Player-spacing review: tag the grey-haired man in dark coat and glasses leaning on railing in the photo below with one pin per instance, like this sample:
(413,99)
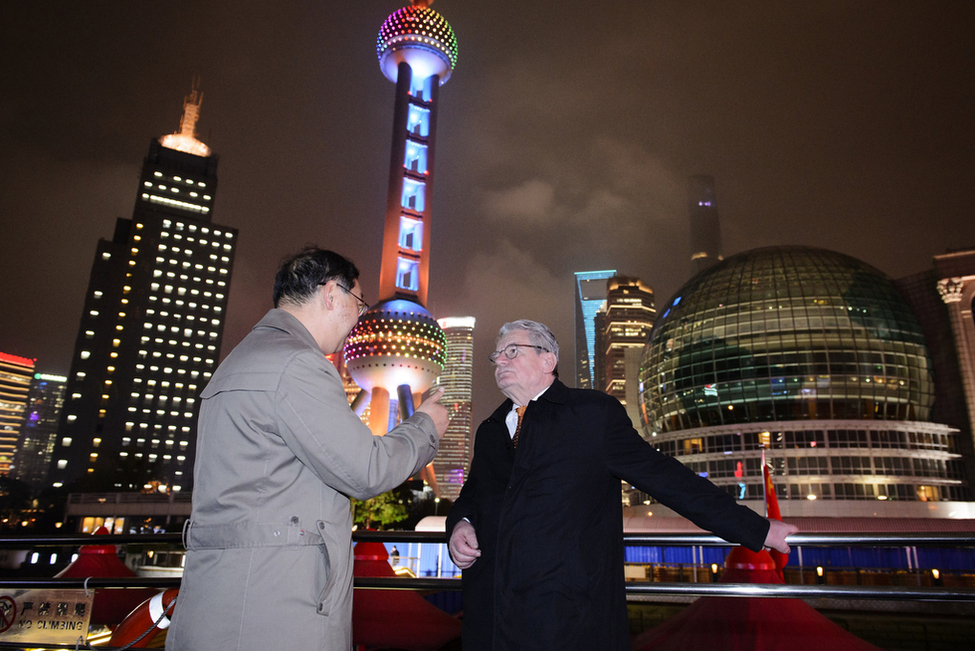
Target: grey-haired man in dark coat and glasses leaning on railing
(538,527)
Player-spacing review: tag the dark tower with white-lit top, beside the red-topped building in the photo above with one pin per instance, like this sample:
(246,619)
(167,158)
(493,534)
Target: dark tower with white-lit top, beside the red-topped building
(33,456)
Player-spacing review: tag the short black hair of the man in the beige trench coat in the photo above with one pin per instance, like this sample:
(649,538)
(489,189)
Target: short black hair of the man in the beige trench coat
(302,274)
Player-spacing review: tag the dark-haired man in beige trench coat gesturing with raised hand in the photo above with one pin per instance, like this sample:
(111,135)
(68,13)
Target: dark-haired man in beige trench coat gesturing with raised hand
(279,453)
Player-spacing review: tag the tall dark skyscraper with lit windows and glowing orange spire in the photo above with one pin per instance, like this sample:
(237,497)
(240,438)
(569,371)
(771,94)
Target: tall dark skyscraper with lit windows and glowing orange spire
(151,328)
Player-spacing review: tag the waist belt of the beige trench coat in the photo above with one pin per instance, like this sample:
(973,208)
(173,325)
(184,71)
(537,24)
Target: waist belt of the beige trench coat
(242,535)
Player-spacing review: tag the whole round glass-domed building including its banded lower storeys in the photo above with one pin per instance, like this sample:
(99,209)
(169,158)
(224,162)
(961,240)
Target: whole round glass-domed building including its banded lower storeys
(810,357)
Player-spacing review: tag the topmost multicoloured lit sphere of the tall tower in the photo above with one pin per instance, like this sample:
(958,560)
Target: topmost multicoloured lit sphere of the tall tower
(422,38)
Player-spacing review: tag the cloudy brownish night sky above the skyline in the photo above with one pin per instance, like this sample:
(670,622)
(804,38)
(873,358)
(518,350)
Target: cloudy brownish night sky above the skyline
(565,138)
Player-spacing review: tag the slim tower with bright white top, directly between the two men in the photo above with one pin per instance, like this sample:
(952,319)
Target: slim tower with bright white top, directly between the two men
(453,459)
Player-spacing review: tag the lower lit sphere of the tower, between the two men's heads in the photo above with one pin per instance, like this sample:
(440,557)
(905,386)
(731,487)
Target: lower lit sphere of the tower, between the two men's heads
(396,342)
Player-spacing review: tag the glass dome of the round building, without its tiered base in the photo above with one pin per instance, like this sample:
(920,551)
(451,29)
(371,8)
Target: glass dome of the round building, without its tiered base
(785,334)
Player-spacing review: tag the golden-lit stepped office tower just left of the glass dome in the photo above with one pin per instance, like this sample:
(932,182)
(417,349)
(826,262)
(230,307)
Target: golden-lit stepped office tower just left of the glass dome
(623,323)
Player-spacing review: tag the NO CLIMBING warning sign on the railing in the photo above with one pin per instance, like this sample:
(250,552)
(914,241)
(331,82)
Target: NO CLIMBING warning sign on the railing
(45,616)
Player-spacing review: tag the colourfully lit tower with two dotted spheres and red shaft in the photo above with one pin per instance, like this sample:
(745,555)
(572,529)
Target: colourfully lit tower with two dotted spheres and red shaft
(397,347)
